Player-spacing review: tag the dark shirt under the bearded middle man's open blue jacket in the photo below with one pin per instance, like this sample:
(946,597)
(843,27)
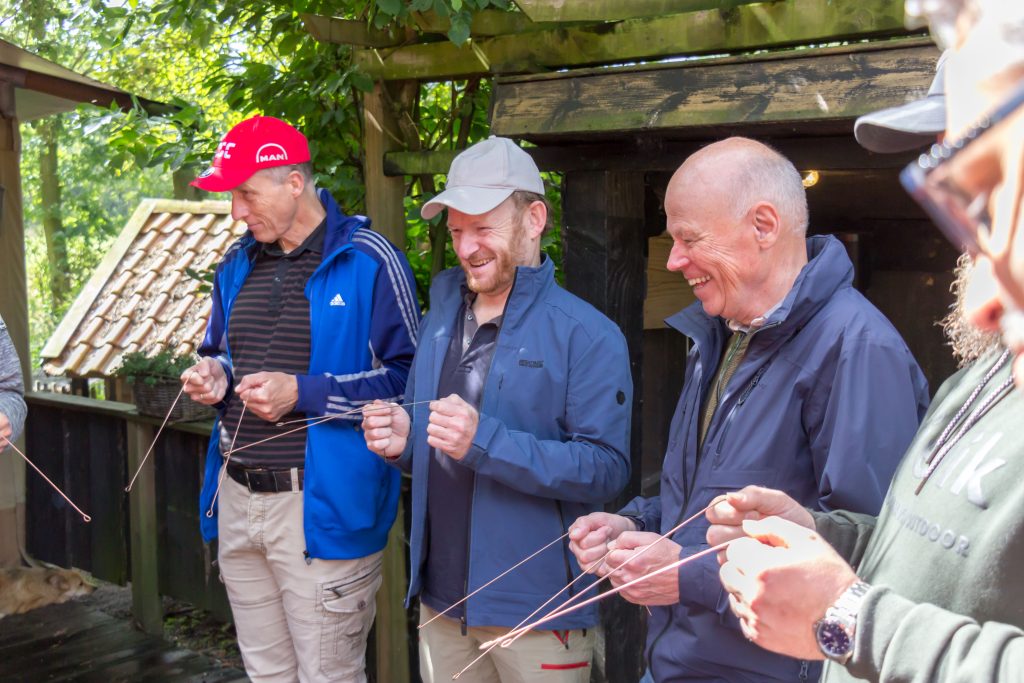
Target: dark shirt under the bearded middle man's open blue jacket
(450,502)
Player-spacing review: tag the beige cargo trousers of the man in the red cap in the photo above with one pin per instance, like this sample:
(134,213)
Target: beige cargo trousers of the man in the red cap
(295,622)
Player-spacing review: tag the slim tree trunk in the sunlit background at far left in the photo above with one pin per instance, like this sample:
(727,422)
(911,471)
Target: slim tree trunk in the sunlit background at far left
(50,181)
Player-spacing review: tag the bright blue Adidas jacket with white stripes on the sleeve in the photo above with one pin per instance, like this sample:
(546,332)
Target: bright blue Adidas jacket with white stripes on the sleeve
(364,319)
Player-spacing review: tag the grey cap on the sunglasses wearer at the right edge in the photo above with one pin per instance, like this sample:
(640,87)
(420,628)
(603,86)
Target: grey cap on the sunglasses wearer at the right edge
(910,126)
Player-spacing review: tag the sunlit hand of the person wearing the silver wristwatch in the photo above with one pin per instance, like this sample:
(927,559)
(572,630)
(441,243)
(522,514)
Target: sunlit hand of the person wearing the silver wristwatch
(782,581)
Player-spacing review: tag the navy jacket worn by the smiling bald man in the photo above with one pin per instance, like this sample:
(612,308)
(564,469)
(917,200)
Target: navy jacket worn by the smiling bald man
(823,407)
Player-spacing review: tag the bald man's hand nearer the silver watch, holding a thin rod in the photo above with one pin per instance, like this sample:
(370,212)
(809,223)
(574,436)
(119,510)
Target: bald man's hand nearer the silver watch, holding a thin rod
(660,590)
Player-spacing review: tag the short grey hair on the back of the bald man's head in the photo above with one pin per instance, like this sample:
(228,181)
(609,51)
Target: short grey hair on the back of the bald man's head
(772,178)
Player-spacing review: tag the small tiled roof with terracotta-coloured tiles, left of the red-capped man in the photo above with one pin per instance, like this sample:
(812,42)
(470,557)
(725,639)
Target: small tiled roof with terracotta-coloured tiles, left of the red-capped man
(141,296)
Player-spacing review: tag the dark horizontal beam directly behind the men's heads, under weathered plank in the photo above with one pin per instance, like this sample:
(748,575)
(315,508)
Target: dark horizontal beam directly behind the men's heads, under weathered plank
(821,154)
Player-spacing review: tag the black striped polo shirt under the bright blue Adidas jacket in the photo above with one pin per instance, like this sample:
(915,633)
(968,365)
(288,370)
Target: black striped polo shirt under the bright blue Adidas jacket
(269,331)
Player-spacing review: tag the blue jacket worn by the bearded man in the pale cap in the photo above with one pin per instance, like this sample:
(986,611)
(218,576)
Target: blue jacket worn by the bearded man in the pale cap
(552,442)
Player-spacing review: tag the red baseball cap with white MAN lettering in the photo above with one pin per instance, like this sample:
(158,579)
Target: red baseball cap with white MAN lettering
(260,143)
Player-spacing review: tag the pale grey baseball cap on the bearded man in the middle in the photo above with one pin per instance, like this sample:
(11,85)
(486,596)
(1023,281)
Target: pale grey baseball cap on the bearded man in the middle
(484,177)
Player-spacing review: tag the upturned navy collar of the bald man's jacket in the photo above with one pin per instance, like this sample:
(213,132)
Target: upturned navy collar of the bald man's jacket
(829,270)
